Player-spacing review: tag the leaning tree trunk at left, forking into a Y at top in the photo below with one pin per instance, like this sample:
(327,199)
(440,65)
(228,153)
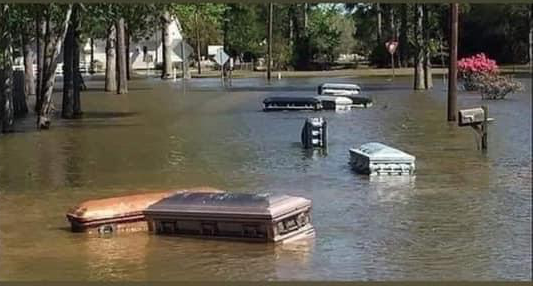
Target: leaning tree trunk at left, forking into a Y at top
(52,50)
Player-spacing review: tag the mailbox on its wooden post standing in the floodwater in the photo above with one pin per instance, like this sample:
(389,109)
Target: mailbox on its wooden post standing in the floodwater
(478,119)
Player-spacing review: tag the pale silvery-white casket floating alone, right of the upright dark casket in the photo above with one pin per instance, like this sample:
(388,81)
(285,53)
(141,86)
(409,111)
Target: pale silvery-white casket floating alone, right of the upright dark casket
(379,159)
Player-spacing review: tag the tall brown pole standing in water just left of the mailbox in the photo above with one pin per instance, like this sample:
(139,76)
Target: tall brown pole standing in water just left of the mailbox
(452,66)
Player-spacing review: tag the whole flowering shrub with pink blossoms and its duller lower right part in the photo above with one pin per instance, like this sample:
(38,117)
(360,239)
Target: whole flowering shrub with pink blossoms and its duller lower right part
(482,74)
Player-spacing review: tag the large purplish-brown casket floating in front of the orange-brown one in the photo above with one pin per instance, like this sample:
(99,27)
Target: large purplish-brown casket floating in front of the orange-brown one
(248,217)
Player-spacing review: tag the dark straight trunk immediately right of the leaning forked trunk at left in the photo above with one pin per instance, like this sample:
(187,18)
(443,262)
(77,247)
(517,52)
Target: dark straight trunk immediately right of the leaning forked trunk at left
(67,109)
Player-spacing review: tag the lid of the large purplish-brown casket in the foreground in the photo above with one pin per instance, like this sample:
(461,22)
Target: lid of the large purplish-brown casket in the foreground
(265,205)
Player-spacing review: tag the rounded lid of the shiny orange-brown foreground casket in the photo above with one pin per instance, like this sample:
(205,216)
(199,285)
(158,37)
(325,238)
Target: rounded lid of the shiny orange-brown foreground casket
(123,206)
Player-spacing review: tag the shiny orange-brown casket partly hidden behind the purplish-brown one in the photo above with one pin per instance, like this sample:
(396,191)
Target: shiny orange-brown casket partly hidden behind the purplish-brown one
(119,214)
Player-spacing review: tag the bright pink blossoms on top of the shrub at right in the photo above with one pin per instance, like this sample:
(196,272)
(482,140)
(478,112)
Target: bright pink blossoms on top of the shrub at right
(471,68)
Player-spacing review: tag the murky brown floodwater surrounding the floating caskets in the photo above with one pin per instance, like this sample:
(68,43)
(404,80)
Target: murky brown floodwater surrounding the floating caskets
(465,216)
